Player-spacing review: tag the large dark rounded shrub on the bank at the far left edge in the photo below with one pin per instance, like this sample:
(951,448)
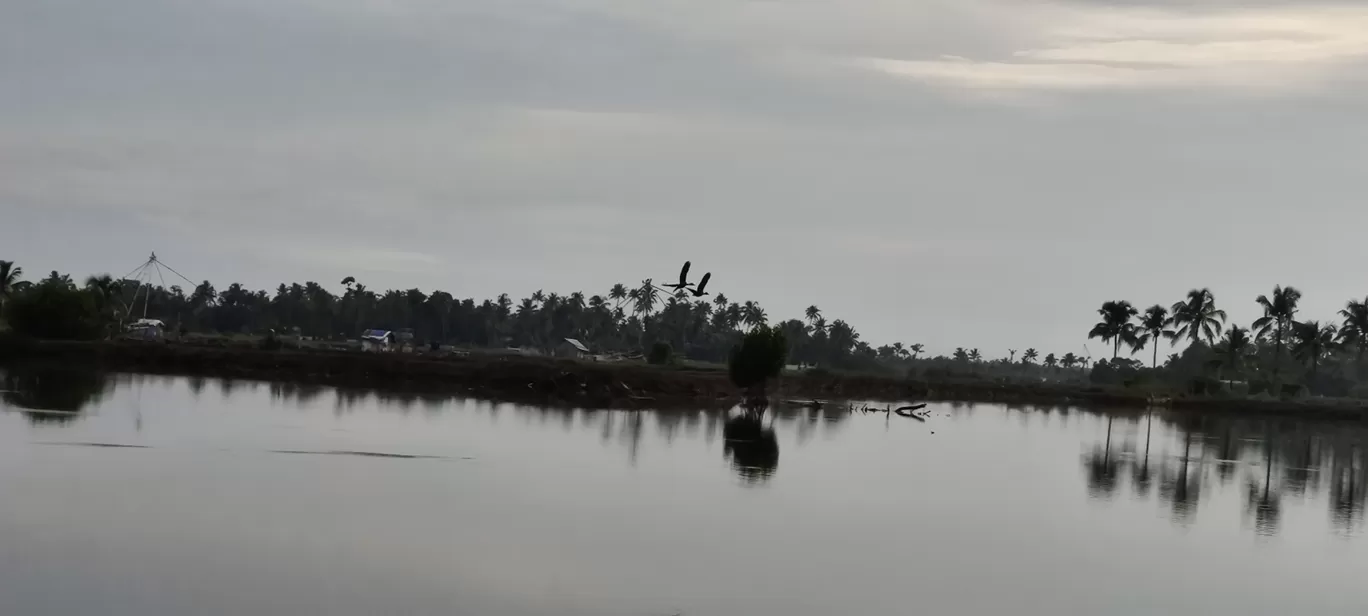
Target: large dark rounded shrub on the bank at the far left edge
(54,313)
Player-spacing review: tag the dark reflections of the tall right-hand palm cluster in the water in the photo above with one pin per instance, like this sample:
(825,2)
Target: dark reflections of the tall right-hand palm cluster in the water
(1280,461)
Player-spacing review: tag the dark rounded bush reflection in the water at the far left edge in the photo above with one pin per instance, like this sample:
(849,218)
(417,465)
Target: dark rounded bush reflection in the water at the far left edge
(54,395)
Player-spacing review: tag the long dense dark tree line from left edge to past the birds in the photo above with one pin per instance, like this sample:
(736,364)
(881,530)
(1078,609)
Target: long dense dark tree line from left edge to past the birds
(624,320)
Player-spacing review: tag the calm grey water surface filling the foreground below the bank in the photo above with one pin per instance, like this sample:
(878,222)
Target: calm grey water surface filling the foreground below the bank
(255,499)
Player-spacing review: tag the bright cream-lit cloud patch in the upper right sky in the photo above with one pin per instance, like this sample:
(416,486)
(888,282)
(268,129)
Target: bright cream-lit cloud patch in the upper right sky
(1276,50)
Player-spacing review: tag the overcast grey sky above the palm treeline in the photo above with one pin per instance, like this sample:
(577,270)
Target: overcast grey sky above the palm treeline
(956,173)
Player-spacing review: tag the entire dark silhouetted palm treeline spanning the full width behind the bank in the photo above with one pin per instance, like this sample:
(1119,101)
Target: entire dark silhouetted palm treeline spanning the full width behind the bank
(1277,355)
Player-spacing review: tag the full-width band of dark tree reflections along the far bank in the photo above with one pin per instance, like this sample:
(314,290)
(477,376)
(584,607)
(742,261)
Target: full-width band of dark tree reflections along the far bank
(1179,463)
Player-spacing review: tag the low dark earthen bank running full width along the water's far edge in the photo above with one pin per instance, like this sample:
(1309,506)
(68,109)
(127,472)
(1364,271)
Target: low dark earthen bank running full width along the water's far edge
(596,385)
